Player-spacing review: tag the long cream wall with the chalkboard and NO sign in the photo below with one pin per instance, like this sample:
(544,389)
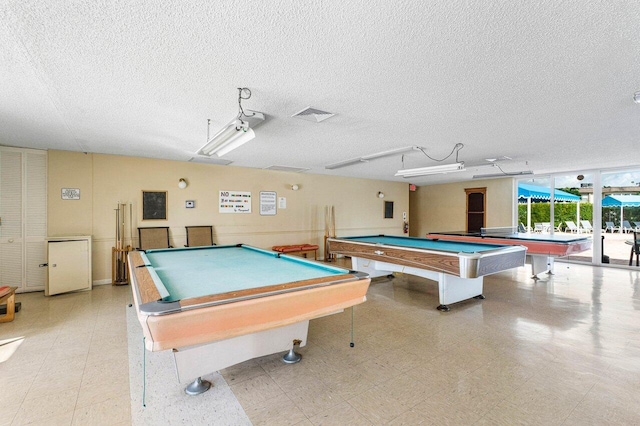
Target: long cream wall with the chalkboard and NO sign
(106,180)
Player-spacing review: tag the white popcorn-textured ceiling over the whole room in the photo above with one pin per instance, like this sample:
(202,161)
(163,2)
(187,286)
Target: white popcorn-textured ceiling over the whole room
(547,83)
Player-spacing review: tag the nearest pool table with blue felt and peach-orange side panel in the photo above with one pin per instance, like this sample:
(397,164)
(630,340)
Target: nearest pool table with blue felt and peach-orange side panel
(216,306)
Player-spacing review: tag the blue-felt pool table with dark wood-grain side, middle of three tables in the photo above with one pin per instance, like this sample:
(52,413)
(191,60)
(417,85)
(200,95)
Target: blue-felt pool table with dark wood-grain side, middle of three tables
(458,267)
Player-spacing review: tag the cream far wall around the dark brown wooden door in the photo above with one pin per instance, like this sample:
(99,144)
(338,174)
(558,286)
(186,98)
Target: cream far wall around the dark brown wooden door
(443,207)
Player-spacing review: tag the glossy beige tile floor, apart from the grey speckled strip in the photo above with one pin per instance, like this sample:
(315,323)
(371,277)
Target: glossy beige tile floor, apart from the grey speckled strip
(562,350)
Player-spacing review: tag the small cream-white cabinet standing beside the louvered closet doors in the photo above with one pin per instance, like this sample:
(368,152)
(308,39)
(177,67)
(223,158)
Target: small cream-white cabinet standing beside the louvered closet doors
(69,264)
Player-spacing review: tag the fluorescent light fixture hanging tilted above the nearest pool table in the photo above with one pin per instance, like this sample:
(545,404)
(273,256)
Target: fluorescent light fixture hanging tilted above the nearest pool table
(236,133)
